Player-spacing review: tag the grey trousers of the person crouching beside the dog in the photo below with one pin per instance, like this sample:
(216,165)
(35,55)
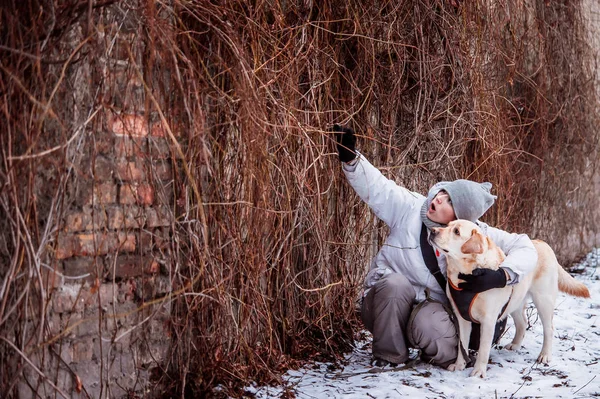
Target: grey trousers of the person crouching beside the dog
(386,312)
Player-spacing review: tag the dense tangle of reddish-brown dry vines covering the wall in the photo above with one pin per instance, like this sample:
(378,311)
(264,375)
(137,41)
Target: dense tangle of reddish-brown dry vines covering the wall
(269,245)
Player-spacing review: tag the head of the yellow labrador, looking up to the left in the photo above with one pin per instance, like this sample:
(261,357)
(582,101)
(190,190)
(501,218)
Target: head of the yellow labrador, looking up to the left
(461,239)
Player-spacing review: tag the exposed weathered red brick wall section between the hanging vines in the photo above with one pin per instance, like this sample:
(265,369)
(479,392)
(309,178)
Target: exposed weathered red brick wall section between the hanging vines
(111,258)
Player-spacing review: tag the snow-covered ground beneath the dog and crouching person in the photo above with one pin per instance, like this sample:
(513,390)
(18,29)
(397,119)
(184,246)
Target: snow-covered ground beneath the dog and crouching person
(573,372)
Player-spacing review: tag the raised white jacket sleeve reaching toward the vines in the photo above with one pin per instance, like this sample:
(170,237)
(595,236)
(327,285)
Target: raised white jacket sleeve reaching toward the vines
(388,201)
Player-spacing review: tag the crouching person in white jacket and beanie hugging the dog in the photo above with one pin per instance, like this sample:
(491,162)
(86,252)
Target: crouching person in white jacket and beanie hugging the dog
(394,306)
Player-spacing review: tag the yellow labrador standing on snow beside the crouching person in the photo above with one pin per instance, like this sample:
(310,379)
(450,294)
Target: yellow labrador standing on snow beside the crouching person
(466,249)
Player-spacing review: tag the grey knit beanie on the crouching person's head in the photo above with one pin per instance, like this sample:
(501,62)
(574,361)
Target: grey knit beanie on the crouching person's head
(469,199)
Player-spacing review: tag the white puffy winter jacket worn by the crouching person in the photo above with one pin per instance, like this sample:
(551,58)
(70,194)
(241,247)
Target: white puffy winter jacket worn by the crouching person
(400,209)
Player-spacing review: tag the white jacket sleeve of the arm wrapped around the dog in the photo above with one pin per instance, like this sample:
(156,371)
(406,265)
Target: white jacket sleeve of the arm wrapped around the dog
(521,255)
